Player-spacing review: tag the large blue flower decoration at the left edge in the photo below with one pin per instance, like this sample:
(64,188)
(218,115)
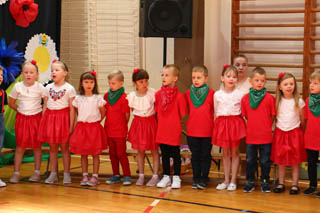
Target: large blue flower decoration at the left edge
(10,60)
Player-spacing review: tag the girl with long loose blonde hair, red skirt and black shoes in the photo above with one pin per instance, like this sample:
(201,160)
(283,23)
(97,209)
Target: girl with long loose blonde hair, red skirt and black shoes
(288,146)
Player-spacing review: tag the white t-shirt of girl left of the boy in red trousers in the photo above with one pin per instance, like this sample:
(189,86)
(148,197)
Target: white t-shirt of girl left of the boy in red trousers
(88,107)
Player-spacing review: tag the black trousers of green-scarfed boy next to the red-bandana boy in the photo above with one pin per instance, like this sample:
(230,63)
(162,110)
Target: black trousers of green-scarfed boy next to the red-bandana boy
(201,158)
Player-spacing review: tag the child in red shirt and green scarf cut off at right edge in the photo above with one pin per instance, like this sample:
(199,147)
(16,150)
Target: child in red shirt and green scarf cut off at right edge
(311,135)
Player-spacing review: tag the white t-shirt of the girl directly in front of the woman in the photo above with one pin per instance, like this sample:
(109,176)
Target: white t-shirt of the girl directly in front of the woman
(227,103)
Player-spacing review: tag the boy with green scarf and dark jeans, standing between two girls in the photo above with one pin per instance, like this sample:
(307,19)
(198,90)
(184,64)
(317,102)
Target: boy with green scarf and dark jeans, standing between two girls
(258,107)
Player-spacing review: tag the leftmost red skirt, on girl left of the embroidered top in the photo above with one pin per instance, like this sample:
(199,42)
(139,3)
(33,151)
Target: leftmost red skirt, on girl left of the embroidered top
(27,129)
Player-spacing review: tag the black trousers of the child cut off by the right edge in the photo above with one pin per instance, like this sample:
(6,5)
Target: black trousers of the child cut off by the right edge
(312,167)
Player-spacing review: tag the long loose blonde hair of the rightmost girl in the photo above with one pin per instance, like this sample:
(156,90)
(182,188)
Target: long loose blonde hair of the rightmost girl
(295,94)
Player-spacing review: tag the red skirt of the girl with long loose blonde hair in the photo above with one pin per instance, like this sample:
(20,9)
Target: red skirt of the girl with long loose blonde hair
(288,147)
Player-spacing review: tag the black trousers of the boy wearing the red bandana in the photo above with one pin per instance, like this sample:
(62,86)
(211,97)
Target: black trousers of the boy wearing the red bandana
(168,151)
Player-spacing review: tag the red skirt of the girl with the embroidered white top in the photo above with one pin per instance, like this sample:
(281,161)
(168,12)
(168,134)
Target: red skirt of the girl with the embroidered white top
(54,126)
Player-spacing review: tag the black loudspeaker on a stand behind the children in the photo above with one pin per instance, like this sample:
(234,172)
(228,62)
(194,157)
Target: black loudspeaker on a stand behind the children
(165,18)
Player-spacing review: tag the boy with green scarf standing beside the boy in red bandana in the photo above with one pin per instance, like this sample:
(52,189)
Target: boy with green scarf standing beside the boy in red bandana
(200,126)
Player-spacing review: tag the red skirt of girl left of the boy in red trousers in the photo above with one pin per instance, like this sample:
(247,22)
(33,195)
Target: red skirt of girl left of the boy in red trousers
(88,139)
